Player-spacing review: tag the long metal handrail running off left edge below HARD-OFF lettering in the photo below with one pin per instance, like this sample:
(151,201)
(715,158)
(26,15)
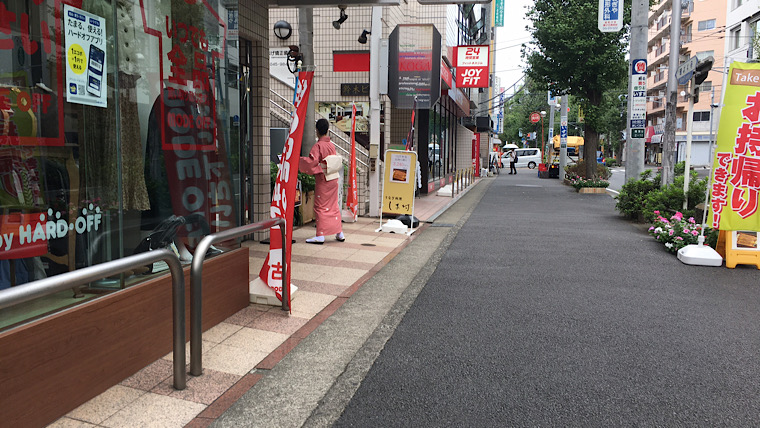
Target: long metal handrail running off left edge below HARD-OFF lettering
(43,287)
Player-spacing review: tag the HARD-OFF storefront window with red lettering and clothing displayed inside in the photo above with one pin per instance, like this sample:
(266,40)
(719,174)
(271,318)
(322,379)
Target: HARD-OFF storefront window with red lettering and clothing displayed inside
(116,136)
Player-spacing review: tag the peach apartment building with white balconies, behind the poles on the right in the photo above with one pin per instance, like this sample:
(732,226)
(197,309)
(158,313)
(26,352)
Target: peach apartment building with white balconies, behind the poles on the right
(703,29)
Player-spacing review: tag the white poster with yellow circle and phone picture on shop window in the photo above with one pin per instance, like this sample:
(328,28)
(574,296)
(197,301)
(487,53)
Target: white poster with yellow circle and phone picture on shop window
(85,36)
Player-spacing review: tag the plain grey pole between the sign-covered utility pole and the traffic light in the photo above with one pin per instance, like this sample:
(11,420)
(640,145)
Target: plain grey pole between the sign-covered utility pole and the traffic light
(669,136)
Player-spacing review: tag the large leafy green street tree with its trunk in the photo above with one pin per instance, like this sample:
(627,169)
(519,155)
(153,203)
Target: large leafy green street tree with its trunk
(571,56)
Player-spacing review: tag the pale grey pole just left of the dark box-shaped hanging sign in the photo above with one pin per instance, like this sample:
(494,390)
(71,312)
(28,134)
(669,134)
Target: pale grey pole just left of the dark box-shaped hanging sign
(374,106)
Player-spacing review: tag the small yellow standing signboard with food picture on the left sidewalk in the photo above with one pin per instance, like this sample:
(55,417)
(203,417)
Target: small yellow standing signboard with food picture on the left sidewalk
(399,182)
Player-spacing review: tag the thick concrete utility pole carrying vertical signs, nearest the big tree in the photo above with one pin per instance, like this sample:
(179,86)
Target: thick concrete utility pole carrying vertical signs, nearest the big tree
(634,158)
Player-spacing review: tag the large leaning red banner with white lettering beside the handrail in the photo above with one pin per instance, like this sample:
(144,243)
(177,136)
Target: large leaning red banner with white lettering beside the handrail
(284,193)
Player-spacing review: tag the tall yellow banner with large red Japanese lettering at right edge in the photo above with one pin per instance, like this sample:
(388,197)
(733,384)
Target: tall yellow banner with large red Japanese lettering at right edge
(736,166)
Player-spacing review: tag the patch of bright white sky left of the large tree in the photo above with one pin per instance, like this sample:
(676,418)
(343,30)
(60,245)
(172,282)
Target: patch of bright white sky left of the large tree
(509,38)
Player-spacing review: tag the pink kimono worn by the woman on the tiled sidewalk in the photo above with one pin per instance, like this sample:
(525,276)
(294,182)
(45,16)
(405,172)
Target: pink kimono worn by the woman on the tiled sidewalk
(326,204)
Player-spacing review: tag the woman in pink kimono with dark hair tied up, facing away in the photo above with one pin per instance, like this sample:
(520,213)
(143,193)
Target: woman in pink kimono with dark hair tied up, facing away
(323,163)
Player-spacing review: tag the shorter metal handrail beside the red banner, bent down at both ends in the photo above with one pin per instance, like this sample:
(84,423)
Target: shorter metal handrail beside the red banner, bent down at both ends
(196,282)
